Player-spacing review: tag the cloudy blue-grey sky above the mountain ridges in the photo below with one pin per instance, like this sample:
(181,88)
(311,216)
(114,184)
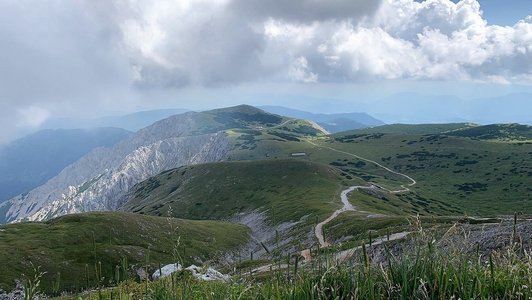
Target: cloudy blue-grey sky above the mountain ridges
(89,58)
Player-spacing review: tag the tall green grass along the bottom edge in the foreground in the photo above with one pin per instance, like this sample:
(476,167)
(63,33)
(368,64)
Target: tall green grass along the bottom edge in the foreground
(424,272)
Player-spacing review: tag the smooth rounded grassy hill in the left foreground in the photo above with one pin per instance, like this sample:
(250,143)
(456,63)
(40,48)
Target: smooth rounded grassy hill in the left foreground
(73,246)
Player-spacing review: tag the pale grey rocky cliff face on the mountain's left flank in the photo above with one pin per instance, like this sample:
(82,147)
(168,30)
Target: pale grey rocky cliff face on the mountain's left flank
(99,180)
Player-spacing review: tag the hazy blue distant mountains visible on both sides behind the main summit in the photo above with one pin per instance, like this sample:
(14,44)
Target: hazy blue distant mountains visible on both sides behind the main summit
(31,161)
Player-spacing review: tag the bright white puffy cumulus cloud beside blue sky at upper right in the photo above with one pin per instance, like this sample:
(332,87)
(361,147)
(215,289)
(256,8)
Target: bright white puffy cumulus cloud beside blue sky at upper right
(434,39)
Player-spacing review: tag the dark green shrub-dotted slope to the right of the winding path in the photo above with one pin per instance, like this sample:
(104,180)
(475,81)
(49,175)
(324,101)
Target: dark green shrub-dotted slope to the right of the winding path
(454,174)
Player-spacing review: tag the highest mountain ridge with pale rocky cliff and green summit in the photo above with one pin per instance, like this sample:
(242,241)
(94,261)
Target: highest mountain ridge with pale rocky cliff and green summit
(192,137)
